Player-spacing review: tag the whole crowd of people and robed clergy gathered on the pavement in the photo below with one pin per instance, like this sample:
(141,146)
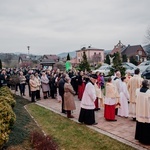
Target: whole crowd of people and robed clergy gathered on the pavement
(125,96)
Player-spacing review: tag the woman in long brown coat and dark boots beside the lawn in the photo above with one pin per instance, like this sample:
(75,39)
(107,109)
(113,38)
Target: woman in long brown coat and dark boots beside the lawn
(69,93)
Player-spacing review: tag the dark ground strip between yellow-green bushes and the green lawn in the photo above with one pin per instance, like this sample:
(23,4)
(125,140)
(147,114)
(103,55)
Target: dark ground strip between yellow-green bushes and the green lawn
(19,138)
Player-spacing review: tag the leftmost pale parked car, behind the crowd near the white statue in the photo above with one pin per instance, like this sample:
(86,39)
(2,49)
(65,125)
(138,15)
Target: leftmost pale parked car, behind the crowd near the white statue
(104,69)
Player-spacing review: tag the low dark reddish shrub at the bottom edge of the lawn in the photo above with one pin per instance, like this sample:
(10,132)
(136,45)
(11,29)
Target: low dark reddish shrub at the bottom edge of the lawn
(41,142)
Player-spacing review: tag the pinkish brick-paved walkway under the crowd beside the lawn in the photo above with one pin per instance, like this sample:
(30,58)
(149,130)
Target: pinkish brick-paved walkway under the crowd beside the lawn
(122,130)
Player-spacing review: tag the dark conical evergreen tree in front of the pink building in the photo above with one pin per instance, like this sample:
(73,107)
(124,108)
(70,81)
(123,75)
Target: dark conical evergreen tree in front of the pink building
(84,65)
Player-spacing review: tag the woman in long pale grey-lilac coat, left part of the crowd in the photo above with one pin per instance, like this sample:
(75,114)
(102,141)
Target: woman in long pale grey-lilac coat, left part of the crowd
(45,85)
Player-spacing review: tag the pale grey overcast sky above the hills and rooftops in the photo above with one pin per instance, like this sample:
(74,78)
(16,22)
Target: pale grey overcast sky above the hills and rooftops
(56,26)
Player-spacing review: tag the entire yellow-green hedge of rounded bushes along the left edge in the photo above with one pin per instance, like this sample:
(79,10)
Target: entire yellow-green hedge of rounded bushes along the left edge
(7,116)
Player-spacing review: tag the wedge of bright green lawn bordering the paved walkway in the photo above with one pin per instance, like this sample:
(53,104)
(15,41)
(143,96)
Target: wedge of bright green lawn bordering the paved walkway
(70,135)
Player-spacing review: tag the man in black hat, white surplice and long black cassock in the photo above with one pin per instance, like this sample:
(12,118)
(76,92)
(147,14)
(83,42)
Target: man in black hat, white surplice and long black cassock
(87,115)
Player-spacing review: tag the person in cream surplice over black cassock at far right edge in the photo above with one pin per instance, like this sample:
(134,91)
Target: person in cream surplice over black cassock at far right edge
(142,132)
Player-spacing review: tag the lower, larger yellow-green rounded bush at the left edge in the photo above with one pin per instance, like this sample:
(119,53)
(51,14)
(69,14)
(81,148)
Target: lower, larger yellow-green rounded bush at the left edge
(7,119)
